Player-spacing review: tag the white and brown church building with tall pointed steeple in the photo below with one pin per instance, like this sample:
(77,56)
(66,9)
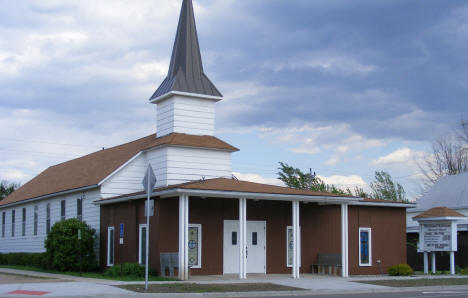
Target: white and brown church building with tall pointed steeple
(212,223)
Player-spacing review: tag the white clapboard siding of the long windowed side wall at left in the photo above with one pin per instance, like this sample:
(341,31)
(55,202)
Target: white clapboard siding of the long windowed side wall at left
(32,243)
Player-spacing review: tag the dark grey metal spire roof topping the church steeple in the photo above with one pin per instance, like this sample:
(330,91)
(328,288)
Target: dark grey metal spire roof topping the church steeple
(186,68)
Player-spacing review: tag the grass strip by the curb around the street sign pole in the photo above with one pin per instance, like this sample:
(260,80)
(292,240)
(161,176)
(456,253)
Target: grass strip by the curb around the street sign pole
(208,288)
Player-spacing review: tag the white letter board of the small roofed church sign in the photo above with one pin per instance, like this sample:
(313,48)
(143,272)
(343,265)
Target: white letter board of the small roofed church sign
(437,237)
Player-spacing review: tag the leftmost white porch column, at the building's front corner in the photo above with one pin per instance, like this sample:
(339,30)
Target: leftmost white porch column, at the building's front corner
(183,237)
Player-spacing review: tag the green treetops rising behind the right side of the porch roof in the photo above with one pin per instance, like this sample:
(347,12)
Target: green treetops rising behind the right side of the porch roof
(295,178)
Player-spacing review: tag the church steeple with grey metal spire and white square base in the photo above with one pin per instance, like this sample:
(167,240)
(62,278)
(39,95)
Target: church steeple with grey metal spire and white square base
(185,99)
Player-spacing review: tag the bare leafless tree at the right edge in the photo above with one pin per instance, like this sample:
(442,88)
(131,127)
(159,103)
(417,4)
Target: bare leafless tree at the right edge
(449,156)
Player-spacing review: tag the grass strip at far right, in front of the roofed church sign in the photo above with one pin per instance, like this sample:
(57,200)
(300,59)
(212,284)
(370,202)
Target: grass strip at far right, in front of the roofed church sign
(423,282)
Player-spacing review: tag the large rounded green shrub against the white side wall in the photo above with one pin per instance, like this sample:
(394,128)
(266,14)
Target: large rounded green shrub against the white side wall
(63,247)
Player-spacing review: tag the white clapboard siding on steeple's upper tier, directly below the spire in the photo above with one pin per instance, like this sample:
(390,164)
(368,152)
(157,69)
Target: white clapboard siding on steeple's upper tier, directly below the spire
(186,115)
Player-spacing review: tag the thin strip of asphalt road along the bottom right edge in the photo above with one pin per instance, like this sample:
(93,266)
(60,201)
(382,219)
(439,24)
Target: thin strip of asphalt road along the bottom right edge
(418,294)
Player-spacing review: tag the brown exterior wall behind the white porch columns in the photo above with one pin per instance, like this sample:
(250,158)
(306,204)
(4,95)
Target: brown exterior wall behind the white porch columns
(320,232)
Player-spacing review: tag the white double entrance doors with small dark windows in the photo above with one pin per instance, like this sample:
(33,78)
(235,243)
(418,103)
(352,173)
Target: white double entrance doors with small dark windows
(256,247)
